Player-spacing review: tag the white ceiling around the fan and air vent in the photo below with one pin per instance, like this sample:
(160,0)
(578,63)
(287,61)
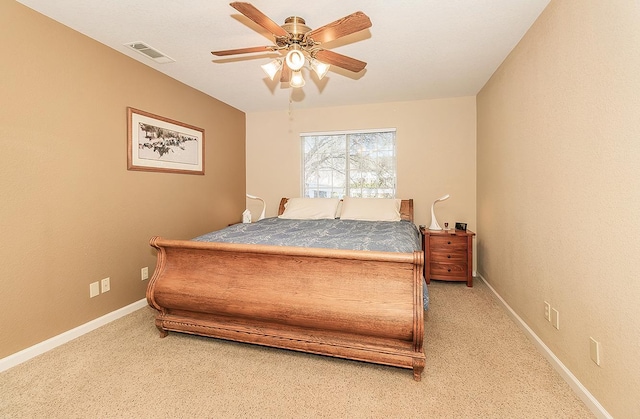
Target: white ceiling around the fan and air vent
(416,49)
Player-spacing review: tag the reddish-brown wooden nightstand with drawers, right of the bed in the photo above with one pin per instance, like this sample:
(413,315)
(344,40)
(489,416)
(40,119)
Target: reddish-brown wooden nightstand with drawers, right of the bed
(448,255)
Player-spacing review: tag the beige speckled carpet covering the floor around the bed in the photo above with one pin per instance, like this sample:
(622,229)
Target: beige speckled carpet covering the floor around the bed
(479,365)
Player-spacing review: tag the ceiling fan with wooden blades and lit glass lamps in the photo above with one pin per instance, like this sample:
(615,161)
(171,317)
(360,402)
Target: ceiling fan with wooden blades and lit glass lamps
(303,45)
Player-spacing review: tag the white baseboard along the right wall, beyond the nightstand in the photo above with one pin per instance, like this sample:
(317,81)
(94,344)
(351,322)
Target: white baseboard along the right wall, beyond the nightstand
(580,390)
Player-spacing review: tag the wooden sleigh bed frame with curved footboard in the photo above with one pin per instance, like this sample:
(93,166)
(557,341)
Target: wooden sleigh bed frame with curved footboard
(354,304)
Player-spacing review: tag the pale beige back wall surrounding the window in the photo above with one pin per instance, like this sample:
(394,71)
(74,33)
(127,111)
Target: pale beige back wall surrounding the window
(435,152)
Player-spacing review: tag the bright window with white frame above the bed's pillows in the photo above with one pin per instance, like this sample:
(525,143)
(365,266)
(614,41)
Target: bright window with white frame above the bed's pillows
(358,164)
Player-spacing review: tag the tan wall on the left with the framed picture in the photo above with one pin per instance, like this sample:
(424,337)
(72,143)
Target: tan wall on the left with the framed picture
(70,212)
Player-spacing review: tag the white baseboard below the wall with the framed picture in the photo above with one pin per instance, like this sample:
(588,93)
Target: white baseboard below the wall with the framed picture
(42,347)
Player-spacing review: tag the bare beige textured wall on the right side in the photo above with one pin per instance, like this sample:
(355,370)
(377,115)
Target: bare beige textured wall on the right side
(559,189)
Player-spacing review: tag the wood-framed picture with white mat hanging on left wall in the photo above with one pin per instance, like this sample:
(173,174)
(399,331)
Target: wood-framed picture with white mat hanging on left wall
(160,144)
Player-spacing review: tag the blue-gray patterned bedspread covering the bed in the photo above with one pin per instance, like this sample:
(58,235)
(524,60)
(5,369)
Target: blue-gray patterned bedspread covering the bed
(386,236)
